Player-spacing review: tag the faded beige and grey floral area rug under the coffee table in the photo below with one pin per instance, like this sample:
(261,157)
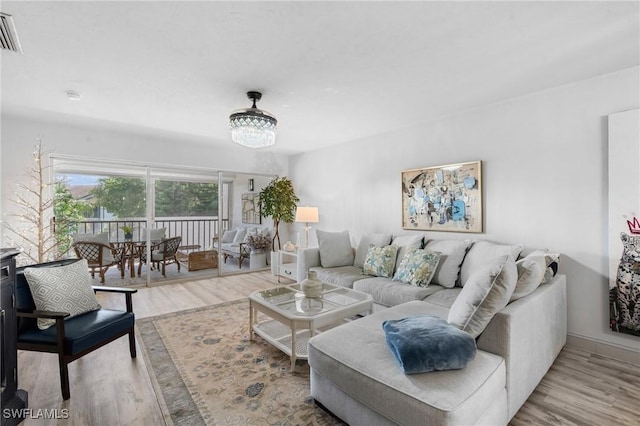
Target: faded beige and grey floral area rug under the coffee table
(206,371)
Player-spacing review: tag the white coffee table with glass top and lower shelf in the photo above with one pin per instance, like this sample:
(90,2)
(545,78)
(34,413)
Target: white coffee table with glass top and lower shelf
(294,318)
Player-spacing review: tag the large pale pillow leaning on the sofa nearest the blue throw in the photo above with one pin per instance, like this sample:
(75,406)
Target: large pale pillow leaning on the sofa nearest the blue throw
(486,292)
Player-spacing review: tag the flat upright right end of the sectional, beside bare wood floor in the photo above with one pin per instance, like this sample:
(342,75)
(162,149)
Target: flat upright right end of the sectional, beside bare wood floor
(529,334)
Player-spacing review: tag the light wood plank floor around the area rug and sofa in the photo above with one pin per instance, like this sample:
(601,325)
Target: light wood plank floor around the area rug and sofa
(109,388)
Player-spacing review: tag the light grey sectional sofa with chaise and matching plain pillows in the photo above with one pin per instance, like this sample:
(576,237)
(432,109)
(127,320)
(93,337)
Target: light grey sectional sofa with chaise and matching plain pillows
(355,375)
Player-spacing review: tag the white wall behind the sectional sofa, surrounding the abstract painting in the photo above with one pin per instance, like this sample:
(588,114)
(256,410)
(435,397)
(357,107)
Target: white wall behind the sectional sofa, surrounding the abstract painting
(544,176)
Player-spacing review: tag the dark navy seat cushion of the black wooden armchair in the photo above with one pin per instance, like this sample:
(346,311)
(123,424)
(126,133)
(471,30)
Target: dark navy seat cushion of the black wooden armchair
(83,331)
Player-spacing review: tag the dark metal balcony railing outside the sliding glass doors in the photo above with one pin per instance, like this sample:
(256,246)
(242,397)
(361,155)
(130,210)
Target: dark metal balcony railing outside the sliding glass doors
(194,231)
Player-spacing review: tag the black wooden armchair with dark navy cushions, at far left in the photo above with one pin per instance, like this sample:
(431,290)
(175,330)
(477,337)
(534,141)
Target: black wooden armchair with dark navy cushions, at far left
(72,336)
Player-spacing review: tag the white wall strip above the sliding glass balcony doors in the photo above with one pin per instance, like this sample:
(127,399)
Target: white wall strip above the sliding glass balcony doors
(19,136)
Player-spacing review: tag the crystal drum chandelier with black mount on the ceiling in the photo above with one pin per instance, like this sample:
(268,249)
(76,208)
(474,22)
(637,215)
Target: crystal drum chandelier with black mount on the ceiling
(253,127)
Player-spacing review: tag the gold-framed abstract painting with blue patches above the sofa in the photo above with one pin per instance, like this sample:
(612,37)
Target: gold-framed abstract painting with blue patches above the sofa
(443,198)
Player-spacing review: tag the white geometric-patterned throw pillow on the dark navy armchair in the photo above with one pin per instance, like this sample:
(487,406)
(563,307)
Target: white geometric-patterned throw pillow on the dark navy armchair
(65,288)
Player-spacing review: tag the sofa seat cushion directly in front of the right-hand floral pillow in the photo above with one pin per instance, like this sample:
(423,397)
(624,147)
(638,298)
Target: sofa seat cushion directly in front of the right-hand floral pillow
(390,293)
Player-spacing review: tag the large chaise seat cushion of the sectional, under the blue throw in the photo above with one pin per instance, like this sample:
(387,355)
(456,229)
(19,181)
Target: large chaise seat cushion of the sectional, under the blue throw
(457,397)
